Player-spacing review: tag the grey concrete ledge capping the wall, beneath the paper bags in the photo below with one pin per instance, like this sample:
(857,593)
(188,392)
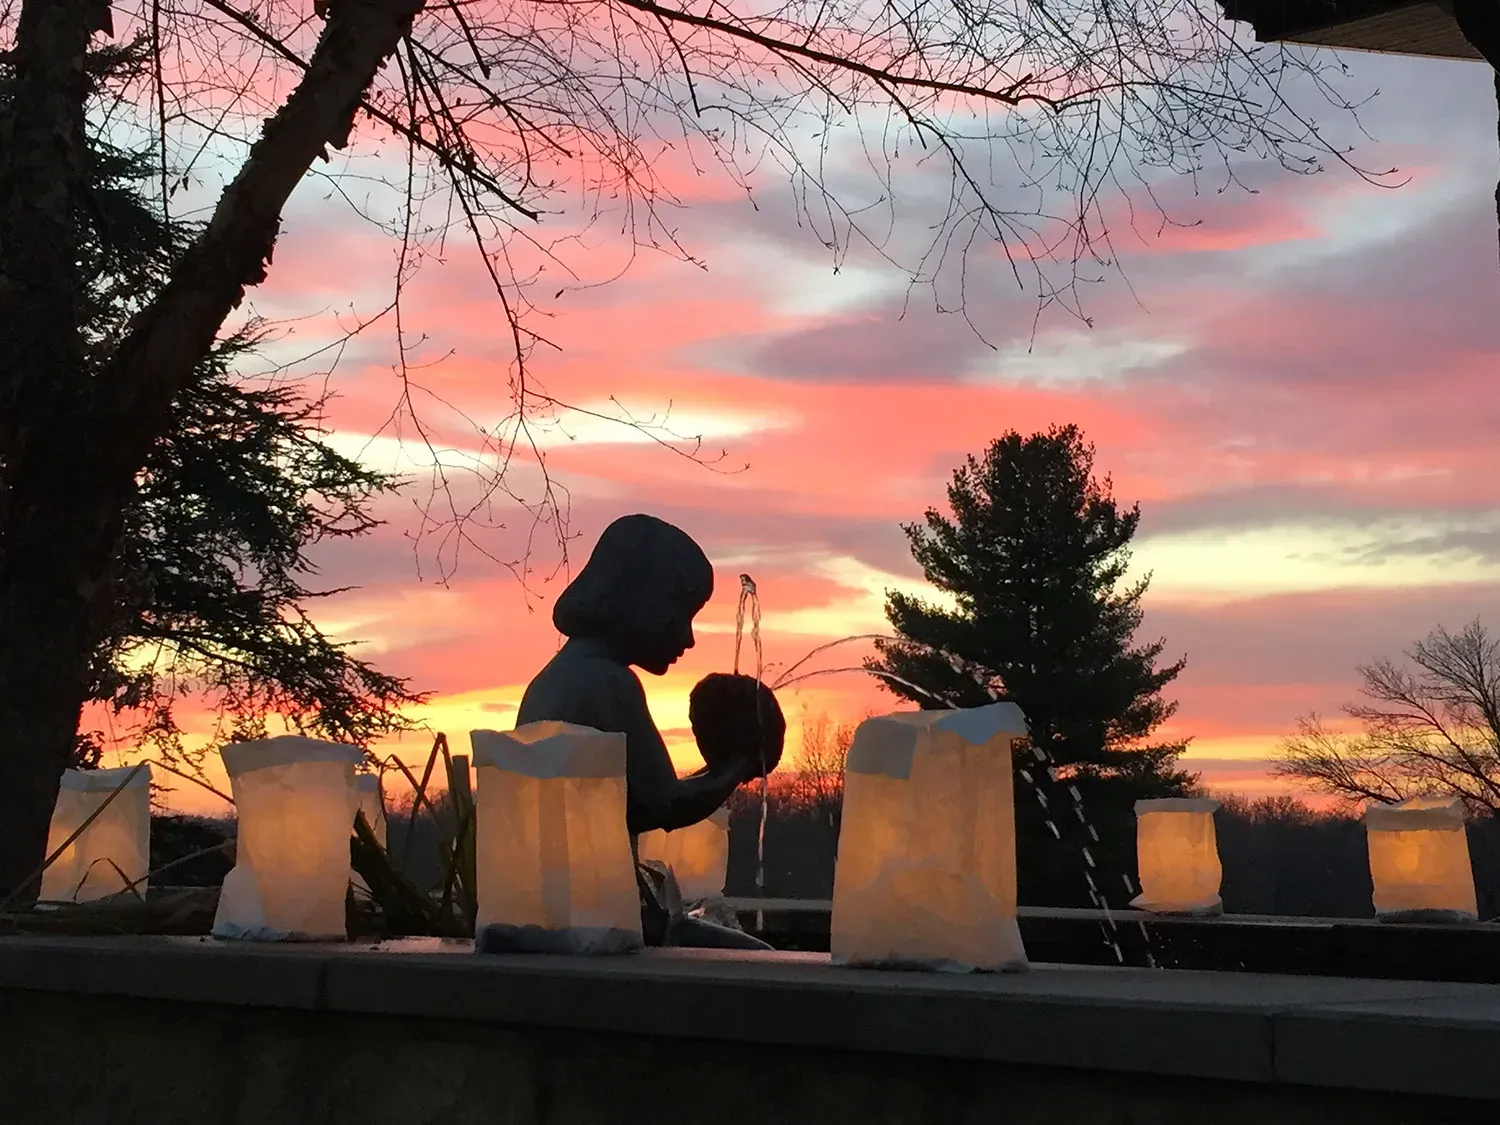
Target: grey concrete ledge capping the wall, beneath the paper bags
(1282,1031)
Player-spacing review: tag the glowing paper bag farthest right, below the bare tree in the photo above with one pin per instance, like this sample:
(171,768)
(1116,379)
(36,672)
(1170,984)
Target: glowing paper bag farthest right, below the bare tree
(1420,862)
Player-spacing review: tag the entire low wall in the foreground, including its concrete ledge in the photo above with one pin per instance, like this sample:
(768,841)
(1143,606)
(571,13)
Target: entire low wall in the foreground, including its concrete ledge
(163,1031)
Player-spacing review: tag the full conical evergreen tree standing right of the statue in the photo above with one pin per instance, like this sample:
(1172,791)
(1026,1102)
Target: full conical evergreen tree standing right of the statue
(1034,560)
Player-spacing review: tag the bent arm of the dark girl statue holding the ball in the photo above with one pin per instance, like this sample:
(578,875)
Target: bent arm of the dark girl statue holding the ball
(658,797)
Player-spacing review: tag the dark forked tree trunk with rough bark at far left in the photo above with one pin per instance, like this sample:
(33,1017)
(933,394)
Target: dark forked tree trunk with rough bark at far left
(71,443)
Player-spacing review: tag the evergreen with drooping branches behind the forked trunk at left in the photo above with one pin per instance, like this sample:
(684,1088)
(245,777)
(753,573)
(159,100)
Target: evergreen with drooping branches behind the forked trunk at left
(211,583)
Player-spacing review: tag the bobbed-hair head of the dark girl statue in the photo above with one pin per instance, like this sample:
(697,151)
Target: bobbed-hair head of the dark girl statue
(640,593)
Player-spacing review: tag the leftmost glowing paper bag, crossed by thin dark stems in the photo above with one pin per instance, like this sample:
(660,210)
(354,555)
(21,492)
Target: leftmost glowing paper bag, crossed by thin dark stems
(115,851)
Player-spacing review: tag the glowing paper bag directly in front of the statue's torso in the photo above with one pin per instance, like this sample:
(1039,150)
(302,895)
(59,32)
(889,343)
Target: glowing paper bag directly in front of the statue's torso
(553,853)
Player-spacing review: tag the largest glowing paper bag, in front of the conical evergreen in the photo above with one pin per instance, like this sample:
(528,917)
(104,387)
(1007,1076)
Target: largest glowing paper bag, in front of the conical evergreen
(926,871)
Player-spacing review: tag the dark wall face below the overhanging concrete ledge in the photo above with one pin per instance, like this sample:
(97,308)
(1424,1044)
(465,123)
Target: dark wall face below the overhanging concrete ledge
(104,1060)
